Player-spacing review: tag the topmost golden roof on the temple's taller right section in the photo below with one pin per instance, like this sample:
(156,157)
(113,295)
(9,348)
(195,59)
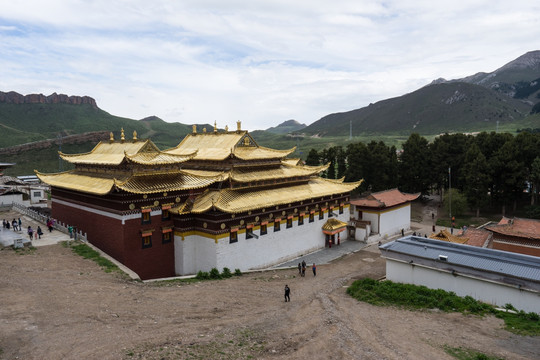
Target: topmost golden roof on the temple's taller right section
(221,145)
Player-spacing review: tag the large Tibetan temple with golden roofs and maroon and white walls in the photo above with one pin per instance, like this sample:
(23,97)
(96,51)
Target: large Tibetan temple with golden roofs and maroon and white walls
(216,200)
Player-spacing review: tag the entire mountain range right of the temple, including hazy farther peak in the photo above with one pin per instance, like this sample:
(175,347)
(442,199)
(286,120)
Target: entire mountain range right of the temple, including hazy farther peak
(475,103)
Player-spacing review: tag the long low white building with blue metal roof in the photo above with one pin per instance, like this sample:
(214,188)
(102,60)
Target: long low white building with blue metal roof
(492,276)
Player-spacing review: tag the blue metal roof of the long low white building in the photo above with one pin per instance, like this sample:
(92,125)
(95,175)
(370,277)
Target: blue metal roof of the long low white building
(496,261)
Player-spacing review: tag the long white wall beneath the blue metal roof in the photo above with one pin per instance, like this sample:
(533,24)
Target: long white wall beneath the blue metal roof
(487,291)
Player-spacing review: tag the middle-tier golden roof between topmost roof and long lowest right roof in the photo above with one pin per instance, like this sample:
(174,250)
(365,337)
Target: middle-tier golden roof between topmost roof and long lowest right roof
(285,171)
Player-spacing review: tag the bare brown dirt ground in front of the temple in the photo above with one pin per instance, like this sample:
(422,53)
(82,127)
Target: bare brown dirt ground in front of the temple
(56,305)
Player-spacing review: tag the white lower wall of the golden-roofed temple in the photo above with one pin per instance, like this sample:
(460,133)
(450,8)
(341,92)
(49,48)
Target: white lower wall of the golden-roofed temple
(196,252)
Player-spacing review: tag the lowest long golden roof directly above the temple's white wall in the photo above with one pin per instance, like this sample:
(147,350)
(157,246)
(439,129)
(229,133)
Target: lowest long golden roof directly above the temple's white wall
(236,201)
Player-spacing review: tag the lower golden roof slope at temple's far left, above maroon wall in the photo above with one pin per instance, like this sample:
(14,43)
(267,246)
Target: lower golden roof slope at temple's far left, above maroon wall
(99,184)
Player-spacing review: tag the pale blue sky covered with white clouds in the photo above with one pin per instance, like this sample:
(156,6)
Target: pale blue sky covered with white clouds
(261,62)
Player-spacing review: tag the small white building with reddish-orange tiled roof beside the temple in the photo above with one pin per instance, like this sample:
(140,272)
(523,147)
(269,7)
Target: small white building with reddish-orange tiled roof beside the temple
(383,214)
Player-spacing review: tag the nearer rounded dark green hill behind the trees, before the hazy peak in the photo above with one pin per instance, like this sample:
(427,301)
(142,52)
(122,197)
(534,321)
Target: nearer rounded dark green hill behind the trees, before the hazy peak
(433,109)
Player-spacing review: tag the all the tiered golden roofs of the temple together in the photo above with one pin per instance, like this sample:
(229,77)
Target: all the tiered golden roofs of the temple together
(142,172)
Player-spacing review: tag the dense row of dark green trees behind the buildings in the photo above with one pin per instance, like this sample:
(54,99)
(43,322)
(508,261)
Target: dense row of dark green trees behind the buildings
(488,168)
